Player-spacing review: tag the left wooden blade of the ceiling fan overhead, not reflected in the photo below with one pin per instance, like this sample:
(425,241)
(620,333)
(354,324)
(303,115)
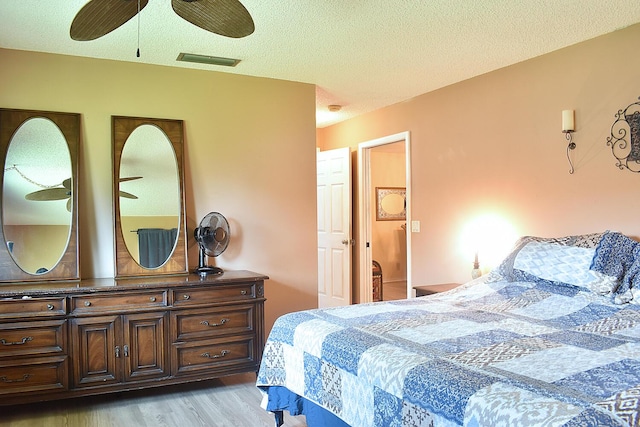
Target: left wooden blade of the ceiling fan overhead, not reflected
(100,17)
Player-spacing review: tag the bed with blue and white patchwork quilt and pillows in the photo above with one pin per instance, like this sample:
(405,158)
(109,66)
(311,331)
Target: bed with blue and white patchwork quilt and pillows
(550,337)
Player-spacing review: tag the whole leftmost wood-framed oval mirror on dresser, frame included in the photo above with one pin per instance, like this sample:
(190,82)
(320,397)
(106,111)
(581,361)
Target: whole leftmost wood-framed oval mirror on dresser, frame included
(39,203)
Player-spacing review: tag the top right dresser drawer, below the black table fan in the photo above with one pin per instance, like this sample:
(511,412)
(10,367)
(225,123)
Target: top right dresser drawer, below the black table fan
(214,294)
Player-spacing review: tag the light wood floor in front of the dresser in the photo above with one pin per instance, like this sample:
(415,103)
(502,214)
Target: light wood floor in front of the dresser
(229,401)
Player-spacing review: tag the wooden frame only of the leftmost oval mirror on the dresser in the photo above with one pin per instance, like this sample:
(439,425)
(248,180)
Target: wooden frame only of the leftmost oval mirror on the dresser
(68,267)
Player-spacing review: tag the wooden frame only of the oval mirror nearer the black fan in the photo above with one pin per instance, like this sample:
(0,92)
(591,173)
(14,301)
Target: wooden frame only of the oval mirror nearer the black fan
(125,264)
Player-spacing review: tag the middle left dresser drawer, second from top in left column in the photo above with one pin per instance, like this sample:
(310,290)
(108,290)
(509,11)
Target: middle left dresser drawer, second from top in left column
(33,338)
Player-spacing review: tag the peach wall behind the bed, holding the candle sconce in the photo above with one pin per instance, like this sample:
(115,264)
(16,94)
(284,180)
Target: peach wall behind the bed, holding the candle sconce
(492,145)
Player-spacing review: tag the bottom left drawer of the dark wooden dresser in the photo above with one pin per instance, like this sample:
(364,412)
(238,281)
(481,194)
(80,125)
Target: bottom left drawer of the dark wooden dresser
(34,375)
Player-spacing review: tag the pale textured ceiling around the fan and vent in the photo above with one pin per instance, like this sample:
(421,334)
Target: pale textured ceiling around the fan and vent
(362,54)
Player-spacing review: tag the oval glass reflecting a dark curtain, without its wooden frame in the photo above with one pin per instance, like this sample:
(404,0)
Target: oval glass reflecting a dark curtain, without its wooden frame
(149,196)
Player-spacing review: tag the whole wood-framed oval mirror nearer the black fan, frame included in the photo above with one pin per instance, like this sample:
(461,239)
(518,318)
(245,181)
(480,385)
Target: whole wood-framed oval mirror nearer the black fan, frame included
(148,197)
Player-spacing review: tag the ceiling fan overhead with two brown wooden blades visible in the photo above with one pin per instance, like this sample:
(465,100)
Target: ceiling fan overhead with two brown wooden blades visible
(227,18)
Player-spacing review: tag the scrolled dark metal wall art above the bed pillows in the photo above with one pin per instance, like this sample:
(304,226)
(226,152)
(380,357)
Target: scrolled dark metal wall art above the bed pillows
(625,138)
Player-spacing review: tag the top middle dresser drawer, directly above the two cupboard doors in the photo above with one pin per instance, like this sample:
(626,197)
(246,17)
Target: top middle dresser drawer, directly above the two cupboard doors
(112,303)
